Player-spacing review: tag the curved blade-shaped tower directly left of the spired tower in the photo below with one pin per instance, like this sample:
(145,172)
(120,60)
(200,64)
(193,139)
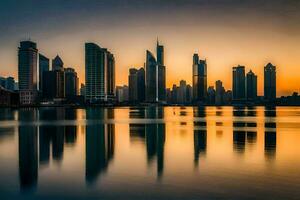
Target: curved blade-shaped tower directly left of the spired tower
(151,78)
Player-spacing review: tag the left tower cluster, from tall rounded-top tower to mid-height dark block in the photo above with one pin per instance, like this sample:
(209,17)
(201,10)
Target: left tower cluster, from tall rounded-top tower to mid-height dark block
(37,82)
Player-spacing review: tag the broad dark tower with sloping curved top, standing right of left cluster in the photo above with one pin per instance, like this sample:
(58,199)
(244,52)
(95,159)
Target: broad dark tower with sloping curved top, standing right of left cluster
(99,74)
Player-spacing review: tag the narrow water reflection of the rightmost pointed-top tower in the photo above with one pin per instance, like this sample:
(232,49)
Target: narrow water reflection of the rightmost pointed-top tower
(270,132)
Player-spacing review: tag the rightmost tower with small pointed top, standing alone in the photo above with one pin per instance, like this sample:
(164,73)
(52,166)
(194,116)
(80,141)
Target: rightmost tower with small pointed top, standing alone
(270,83)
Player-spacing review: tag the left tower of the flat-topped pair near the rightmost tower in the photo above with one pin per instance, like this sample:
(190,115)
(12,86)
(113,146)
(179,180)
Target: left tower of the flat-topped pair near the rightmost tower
(238,83)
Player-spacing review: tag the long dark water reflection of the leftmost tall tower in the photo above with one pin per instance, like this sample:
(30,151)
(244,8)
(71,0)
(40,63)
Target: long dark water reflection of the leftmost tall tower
(28,152)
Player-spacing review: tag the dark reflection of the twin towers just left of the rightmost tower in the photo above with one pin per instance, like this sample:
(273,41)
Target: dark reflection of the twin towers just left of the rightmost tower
(244,127)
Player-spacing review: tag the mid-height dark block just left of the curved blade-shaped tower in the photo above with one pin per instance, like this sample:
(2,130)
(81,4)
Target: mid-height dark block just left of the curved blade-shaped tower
(136,82)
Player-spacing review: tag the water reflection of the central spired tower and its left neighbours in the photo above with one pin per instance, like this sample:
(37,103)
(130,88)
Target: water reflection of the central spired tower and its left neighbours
(153,134)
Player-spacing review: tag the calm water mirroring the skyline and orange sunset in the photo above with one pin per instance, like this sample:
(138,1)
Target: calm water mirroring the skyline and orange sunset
(150,153)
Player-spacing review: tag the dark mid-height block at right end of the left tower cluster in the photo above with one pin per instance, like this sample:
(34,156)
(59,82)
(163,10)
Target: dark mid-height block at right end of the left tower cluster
(71,83)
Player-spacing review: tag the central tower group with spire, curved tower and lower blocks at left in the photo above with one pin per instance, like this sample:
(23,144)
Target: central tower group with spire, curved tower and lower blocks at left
(146,84)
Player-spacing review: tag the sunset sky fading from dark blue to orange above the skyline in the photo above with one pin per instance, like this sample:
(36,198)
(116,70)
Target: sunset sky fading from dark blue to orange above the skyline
(225,32)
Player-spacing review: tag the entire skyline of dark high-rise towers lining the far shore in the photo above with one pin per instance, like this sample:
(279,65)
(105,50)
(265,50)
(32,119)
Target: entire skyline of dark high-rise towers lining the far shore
(147,84)
